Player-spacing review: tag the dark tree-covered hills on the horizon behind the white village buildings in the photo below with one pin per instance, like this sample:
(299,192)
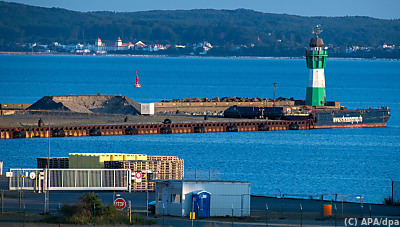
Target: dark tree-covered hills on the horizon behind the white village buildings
(222,28)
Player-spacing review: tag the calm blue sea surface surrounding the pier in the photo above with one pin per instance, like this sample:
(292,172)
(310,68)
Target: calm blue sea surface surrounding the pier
(314,162)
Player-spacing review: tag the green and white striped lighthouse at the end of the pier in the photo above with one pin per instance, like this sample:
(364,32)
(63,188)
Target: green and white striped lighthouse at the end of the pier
(316,62)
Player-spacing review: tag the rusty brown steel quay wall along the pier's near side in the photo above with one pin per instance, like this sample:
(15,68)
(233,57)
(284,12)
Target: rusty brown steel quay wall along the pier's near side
(152,128)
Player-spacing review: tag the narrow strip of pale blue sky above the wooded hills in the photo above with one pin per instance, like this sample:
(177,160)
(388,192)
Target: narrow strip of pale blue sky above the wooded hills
(384,9)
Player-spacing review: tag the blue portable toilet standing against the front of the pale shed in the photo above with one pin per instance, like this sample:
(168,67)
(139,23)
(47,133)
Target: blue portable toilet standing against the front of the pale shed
(201,202)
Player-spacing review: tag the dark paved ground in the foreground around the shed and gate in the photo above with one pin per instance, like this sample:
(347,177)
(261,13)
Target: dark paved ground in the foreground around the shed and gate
(281,212)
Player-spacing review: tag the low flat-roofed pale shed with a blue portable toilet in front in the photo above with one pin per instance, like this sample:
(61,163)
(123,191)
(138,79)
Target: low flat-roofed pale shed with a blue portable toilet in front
(180,197)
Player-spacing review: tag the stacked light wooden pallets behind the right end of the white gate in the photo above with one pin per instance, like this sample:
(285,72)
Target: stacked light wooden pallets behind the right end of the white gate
(154,168)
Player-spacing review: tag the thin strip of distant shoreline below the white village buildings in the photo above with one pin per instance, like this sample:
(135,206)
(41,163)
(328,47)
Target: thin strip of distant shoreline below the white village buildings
(193,56)
